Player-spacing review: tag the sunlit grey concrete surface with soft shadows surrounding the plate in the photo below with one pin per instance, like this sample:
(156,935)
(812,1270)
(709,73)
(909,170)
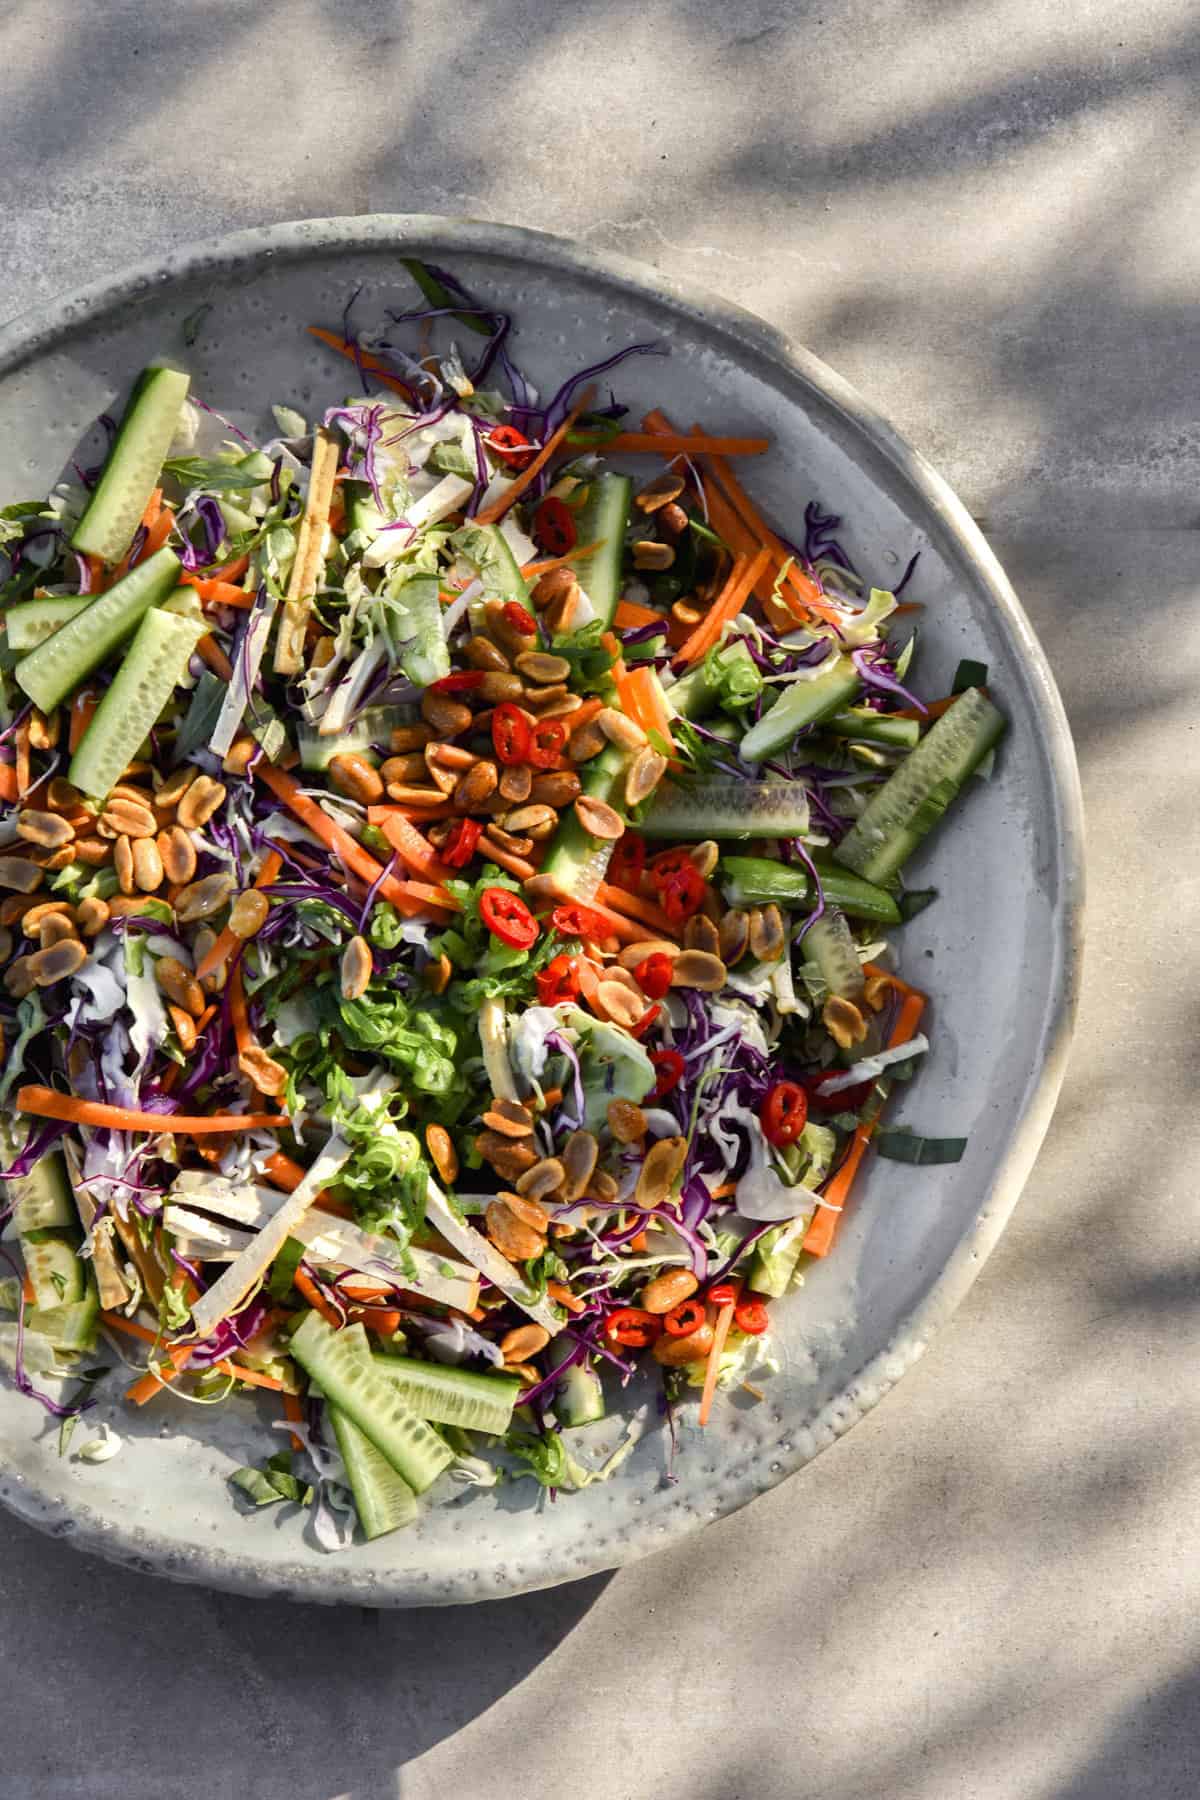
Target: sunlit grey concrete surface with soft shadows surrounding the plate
(985,217)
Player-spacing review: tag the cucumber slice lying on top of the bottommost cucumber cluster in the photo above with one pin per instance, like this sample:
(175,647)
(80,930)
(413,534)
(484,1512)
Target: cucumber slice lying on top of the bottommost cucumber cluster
(343,1367)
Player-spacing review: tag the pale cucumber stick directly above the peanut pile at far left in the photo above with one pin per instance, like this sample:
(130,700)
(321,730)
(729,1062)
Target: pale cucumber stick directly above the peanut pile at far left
(152,669)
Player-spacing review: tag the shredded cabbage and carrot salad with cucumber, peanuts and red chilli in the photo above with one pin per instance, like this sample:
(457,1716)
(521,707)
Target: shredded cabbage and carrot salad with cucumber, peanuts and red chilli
(445,930)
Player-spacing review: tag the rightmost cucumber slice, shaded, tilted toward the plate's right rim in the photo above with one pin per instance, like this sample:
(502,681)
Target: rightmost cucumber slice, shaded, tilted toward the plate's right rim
(915,798)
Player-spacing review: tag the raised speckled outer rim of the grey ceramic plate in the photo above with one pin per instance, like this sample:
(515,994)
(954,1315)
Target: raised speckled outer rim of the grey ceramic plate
(336,1581)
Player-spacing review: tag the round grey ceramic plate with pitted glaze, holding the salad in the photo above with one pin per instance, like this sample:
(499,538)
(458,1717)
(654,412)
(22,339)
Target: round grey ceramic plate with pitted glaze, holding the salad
(999,953)
